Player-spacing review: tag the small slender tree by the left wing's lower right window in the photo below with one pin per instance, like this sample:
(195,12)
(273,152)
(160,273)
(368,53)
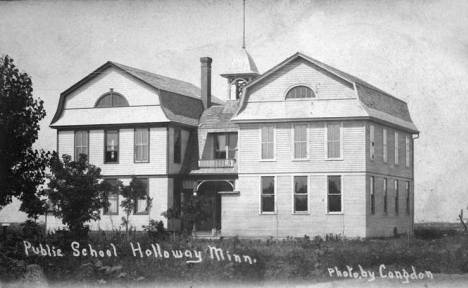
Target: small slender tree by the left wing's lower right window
(135,190)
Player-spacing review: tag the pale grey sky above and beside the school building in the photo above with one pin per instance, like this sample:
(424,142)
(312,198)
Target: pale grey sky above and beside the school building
(415,50)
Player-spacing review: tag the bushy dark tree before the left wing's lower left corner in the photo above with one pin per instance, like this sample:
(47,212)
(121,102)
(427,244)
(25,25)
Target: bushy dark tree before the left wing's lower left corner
(75,188)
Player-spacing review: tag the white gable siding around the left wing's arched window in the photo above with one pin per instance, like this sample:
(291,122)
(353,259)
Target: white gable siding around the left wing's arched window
(136,92)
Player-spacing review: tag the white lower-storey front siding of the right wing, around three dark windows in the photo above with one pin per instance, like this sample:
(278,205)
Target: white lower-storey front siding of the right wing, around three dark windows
(237,208)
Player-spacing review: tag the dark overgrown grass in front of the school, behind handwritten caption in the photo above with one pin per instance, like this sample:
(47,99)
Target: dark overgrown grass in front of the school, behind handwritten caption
(436,249)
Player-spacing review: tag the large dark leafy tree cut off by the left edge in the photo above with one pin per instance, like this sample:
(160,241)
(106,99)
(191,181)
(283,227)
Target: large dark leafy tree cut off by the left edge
(22,169)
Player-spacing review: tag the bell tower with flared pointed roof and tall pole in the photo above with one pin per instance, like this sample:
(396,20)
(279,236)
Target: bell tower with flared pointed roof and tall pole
(242,69)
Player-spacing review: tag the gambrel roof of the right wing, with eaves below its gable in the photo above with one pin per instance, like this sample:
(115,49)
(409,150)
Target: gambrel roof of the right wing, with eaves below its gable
(376,103)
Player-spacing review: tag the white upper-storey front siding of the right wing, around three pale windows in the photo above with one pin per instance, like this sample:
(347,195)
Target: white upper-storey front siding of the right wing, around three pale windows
(353,150)
